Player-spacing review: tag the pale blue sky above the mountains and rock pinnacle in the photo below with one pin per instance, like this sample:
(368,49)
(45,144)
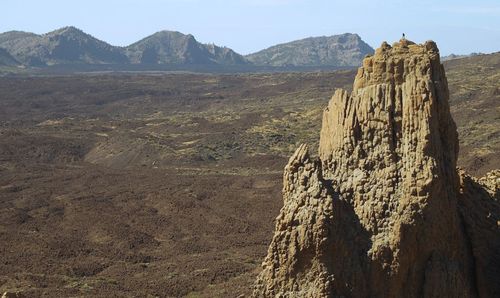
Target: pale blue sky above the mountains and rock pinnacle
(458,26)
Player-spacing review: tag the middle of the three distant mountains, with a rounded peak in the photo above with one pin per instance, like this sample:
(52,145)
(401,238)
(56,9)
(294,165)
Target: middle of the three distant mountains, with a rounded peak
(171,47)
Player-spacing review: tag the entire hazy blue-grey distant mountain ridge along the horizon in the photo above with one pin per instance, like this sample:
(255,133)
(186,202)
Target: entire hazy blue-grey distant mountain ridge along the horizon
(71,47)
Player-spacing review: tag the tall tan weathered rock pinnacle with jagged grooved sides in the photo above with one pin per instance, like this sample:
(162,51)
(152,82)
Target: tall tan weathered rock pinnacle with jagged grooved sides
(384,212)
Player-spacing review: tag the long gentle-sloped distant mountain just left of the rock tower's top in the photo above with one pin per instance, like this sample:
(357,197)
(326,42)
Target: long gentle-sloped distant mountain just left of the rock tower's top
(338,50)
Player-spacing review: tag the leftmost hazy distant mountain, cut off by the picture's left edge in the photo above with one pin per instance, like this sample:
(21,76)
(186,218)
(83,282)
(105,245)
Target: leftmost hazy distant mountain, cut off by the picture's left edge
(67,45)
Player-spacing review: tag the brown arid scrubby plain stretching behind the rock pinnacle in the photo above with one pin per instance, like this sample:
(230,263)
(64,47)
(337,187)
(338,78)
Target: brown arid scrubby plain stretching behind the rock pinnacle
(144,185)
